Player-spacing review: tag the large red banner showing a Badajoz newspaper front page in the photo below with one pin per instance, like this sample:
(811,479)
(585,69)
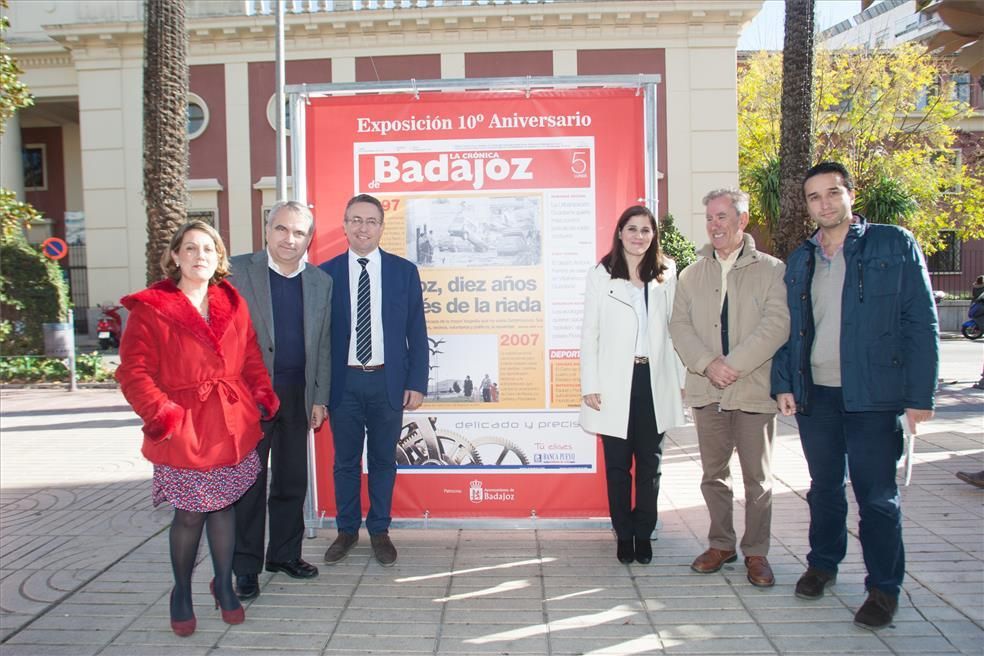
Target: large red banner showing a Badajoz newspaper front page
(503,201)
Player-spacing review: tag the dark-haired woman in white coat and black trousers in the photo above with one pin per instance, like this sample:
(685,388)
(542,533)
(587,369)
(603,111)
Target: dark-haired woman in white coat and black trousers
(630,375)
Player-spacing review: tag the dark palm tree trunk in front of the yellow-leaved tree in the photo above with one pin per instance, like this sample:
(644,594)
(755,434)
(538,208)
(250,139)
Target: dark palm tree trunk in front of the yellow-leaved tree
(796,126)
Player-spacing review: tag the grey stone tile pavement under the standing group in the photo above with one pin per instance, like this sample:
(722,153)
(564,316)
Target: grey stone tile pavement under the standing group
(84,566)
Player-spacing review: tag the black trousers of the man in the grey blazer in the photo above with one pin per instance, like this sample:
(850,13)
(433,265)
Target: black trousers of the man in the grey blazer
(284,446)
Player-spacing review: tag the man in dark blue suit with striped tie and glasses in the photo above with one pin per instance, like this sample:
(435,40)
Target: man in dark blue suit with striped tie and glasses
(379,370)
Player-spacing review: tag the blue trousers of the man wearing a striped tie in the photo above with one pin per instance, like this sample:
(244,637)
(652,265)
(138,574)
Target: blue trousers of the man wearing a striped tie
(365,414)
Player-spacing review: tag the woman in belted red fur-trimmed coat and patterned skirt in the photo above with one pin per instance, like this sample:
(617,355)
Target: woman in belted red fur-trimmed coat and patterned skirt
(191,368)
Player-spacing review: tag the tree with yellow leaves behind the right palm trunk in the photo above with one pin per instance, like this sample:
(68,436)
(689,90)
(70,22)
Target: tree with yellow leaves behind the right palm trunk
(888,115)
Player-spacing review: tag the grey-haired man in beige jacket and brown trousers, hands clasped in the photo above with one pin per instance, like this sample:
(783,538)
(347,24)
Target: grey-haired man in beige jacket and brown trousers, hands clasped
(729,319)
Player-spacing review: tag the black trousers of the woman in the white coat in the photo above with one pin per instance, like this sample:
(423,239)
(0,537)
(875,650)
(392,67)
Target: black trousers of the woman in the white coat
(644,443)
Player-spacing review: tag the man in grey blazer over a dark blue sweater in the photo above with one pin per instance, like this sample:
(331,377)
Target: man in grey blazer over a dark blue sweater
(290,306)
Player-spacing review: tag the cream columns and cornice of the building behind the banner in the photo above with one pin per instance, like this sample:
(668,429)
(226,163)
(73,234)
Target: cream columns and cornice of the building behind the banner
(100,65)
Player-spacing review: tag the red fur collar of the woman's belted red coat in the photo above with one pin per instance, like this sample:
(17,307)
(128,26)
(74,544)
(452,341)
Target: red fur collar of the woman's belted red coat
(170,303)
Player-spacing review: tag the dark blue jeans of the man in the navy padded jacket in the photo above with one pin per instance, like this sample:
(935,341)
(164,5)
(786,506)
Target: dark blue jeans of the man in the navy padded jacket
(866,444)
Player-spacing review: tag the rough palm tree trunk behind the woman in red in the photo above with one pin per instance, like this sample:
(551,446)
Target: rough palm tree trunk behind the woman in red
(165,126)
